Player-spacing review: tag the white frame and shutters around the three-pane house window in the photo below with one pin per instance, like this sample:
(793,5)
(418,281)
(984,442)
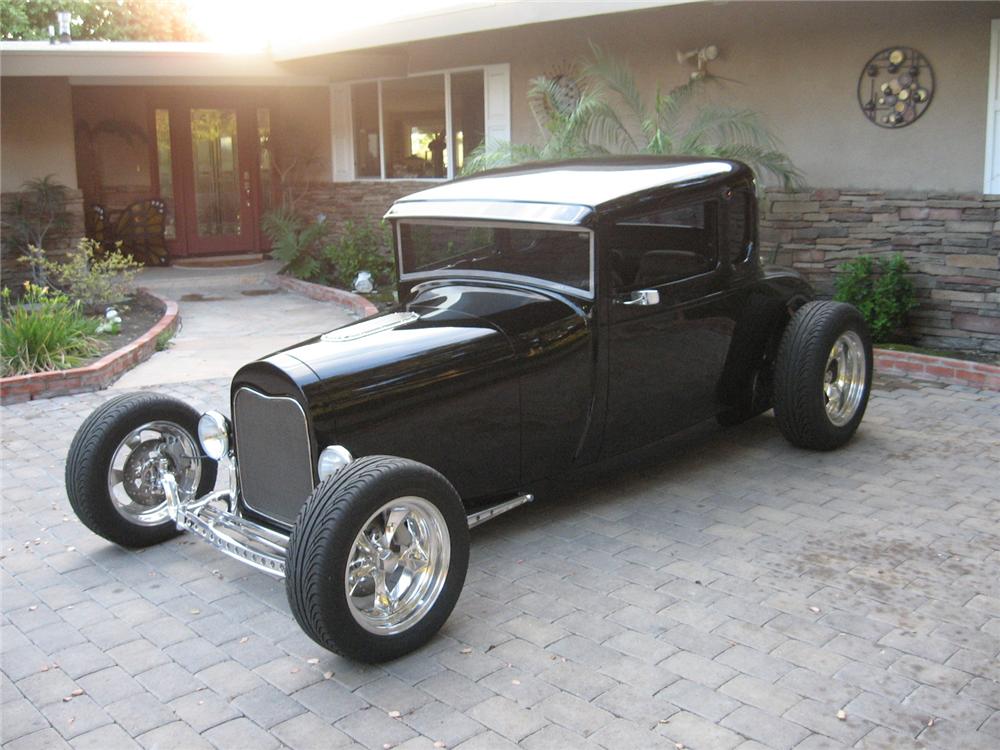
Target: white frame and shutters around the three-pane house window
(449,134)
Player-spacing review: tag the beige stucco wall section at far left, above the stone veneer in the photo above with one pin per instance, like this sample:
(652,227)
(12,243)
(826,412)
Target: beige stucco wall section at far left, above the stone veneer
(37,134)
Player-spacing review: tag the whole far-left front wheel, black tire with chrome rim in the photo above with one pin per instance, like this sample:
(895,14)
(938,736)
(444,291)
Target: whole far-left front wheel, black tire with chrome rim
(111,471)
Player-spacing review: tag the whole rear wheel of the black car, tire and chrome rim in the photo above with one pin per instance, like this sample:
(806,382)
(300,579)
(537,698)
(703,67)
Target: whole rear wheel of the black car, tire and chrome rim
(823,375)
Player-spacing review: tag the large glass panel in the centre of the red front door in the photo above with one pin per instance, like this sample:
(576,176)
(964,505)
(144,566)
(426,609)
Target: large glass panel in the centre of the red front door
(215,154)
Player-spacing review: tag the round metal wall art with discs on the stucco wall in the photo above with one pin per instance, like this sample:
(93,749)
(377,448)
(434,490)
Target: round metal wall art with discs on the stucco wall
(896,87)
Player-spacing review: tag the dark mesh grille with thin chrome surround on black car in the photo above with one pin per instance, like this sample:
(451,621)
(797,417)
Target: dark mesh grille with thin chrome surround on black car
(274,449)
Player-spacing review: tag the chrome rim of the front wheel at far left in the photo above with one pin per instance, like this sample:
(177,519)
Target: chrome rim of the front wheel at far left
(134,471)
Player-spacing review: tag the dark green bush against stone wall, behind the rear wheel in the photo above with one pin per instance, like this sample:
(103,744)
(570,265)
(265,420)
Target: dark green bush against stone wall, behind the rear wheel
(880,290)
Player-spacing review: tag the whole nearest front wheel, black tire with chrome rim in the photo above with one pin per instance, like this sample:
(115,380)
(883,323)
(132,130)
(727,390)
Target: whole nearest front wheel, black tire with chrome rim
(377,558)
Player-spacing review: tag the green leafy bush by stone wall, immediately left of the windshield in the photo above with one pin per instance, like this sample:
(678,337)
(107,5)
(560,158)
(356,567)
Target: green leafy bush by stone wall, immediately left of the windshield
(361,246)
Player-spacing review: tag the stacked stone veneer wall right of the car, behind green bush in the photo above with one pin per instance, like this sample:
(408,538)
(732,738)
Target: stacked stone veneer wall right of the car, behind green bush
(952,243)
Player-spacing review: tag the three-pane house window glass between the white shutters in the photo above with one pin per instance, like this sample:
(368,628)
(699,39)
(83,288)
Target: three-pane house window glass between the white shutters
(422,127)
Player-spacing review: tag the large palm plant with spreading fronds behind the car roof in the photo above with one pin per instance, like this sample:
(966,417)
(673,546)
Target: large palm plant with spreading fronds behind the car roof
(612,116)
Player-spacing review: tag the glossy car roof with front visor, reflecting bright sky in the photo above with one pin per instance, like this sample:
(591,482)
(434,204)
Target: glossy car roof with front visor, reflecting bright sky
(567,192)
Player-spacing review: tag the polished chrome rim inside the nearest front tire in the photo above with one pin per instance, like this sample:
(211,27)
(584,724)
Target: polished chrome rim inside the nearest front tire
(397,565)
